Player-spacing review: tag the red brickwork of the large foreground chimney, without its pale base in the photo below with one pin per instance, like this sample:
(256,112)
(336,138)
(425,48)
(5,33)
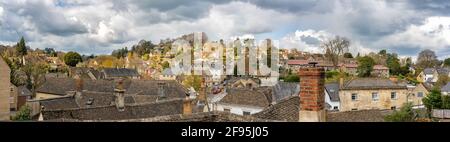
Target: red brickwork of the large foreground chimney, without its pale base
(312,82)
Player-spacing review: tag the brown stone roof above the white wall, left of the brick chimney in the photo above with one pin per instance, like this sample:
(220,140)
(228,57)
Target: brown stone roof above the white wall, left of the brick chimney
(245,97)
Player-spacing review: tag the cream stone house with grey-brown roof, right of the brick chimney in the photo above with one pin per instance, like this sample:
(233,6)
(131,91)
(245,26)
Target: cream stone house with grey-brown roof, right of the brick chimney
(372,93)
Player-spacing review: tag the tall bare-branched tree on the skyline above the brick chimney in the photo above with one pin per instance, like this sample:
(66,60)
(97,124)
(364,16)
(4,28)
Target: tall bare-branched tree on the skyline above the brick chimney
(335,48)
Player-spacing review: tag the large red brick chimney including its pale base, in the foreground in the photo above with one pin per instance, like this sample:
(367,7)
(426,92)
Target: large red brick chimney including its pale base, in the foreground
(312,96)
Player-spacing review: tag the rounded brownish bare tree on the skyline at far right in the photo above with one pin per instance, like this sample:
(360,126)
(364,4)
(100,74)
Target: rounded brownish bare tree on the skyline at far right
(427,59)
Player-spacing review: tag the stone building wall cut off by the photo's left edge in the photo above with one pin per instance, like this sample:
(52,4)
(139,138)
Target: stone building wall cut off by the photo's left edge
(5,90)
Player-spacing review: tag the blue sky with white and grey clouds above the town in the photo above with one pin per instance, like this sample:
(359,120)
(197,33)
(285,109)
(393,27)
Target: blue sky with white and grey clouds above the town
(86,26)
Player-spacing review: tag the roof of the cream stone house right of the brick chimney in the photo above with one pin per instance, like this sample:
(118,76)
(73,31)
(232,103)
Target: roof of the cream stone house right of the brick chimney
(372,83)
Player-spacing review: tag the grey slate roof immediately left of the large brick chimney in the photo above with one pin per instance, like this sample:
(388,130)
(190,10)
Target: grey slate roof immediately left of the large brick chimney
(283,90)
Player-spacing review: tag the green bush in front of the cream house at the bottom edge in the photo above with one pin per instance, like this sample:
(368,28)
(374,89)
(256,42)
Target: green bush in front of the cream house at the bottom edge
(405,114)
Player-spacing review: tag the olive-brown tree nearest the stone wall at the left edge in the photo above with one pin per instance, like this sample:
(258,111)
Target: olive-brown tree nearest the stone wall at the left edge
(35,73)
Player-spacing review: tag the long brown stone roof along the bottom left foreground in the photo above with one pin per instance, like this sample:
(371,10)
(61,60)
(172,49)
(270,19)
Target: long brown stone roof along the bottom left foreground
(161,108)
